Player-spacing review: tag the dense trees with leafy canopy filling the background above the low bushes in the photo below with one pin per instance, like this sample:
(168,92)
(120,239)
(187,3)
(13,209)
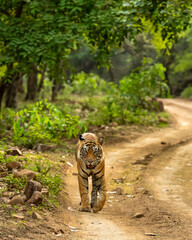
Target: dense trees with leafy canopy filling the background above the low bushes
(60,44)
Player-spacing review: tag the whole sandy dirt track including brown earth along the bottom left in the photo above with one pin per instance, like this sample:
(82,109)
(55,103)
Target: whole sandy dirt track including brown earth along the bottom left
(152,171)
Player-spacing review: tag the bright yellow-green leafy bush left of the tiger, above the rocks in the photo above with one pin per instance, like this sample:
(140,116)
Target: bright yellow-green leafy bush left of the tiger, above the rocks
(43,122)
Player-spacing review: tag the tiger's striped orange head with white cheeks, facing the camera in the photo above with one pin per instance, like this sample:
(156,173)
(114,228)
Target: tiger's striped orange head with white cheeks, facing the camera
(91,151)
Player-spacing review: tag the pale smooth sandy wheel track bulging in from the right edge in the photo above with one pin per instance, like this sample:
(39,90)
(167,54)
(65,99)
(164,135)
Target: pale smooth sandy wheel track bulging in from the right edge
(173,181)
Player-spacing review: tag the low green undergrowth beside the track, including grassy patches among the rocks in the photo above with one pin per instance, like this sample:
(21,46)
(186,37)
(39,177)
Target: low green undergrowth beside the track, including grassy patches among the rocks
(87,101)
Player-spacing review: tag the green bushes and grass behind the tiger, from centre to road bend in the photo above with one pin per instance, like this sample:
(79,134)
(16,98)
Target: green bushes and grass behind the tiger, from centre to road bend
(130,102)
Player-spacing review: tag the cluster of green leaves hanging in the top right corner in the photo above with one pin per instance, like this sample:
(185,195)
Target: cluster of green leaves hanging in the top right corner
(169,16)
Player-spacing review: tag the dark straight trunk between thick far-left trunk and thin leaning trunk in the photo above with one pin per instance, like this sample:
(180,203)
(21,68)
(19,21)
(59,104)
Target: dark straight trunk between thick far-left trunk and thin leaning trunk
(32,84)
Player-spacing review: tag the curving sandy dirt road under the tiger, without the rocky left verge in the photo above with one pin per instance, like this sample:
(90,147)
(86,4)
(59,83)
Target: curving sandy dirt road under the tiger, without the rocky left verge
(154,174)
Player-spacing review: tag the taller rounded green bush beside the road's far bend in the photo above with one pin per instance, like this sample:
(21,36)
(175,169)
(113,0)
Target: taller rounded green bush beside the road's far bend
(133,100)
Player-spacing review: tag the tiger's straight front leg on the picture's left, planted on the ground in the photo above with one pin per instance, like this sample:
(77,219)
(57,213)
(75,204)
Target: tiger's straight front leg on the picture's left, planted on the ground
(83,189)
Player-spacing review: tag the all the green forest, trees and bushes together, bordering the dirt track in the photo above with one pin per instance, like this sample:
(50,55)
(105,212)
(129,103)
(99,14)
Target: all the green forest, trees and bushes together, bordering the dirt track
(69,66)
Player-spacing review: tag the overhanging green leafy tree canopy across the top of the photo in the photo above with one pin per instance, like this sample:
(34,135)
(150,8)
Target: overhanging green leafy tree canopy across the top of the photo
(38,31)
